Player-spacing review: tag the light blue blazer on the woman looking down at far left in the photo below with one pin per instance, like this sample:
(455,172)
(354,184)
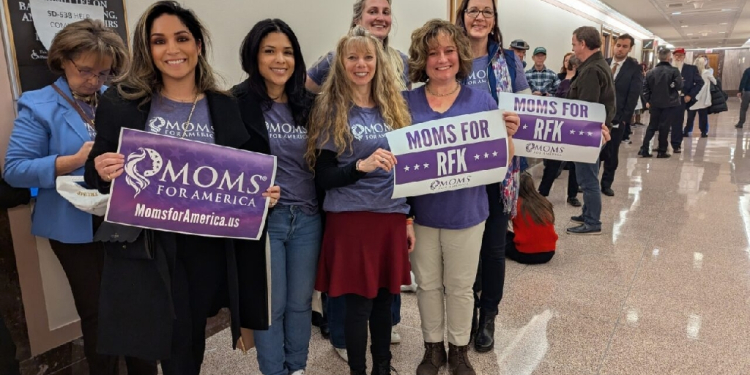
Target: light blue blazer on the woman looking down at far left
(47,126)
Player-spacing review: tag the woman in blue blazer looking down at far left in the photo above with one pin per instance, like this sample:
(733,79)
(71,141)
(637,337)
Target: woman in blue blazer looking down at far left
(52,136)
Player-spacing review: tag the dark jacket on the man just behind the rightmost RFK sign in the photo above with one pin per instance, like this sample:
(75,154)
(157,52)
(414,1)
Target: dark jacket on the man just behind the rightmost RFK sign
(593,83)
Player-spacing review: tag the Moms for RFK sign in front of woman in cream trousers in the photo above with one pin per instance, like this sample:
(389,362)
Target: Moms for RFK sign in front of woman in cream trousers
(449,154)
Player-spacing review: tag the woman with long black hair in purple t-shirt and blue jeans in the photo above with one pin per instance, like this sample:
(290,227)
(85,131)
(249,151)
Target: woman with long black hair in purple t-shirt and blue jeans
(272,58)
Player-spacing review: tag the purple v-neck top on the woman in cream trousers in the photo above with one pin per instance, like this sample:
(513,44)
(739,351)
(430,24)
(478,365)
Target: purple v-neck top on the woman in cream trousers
(458,209)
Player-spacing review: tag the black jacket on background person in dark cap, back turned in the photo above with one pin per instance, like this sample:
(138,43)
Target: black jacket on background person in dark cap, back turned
(662,86)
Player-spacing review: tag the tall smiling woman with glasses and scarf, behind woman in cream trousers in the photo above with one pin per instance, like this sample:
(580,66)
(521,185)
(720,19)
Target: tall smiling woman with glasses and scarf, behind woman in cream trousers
(494,70)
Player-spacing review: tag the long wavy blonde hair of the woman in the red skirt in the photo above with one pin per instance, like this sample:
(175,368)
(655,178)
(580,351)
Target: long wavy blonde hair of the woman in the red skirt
(329,119)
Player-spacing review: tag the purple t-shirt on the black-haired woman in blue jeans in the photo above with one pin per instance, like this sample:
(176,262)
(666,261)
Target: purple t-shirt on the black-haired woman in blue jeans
(288,142)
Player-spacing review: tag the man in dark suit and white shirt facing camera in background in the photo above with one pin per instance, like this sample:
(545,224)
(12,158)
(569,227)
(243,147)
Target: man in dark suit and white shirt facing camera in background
(628,79)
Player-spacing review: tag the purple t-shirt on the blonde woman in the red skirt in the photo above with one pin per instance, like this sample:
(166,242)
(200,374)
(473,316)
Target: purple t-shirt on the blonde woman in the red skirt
(372,192)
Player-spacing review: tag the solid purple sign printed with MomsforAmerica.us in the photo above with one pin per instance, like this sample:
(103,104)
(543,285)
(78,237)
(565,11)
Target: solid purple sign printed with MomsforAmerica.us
(190,187)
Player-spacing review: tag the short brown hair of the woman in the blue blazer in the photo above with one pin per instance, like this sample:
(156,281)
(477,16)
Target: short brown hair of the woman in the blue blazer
(87,36)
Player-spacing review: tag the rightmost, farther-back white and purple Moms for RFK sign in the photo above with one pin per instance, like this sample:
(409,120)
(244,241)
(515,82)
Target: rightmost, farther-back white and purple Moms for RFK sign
(554,128)
